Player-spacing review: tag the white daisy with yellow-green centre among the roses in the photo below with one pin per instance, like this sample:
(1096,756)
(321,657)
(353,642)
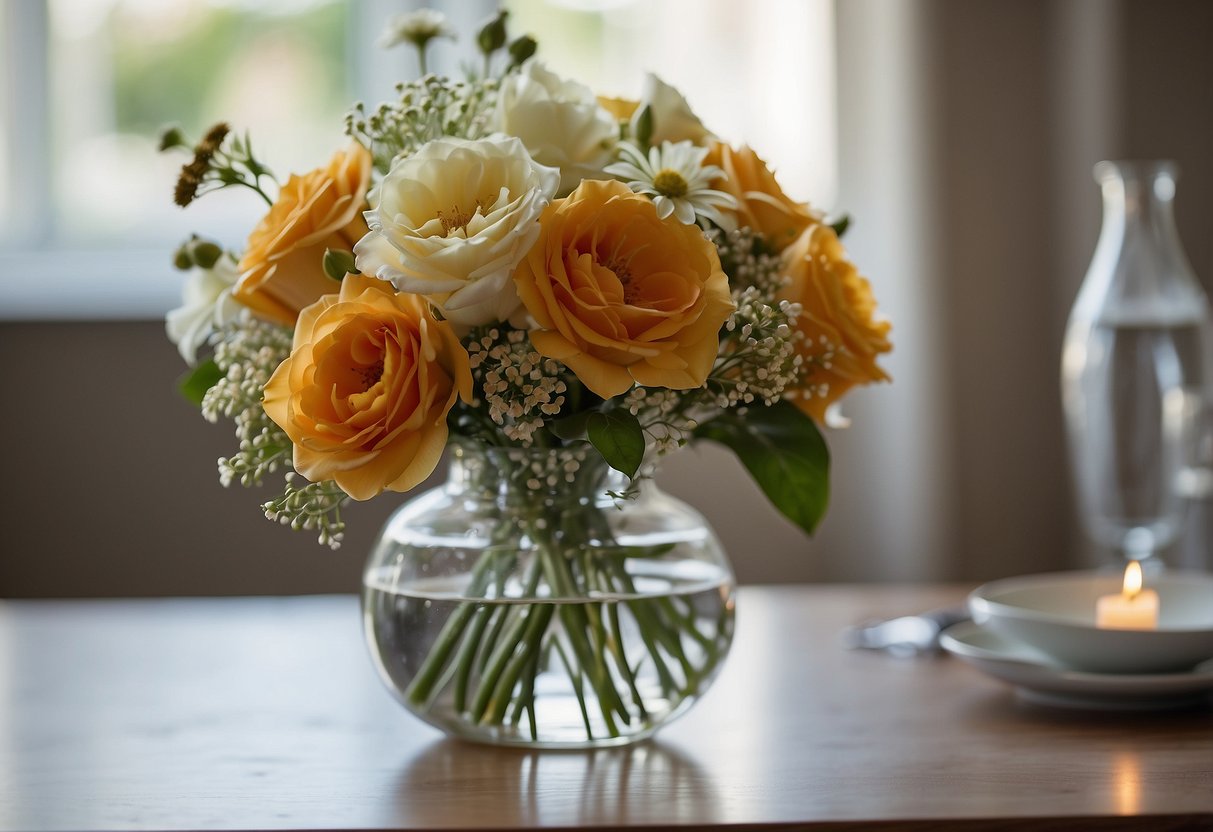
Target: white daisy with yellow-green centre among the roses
(677,180)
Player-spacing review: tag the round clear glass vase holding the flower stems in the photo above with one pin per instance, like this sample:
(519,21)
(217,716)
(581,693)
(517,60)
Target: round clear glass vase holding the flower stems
(532,601)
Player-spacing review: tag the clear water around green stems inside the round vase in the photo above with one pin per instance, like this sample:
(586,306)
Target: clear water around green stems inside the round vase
(610,668)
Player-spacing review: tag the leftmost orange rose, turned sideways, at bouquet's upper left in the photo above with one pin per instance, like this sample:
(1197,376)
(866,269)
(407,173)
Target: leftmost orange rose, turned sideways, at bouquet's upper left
(282,270)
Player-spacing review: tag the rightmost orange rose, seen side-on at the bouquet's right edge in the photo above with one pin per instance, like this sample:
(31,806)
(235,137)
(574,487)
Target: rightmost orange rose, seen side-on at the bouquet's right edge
(842,333)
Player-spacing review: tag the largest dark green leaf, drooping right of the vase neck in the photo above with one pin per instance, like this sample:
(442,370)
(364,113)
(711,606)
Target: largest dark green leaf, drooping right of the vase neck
(784,452)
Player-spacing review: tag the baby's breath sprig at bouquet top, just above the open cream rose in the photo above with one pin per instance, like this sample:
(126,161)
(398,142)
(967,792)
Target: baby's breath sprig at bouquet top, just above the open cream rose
(426,110)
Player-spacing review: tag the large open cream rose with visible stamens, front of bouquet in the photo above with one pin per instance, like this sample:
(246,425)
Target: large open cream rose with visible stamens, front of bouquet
(452,223)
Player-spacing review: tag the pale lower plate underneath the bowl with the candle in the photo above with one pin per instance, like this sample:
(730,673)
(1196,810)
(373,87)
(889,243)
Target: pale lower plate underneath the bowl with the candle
(1041,680)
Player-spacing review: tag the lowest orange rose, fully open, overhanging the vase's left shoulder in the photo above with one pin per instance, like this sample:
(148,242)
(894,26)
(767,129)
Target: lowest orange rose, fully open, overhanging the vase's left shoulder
(366,391)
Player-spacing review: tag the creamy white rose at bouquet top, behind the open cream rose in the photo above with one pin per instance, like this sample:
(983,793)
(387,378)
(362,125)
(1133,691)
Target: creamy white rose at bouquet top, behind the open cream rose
(561,123)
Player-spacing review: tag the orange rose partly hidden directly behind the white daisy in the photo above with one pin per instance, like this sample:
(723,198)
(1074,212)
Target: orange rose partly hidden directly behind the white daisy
(762,204)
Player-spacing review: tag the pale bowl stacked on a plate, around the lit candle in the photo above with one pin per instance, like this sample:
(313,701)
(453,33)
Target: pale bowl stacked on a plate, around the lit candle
(1039,634)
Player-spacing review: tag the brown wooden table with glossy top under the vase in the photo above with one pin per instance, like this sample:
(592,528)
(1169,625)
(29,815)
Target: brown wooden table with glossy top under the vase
(266,715)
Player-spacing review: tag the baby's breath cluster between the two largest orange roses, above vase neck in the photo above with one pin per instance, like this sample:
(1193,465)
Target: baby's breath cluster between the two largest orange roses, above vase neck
(521,389)
